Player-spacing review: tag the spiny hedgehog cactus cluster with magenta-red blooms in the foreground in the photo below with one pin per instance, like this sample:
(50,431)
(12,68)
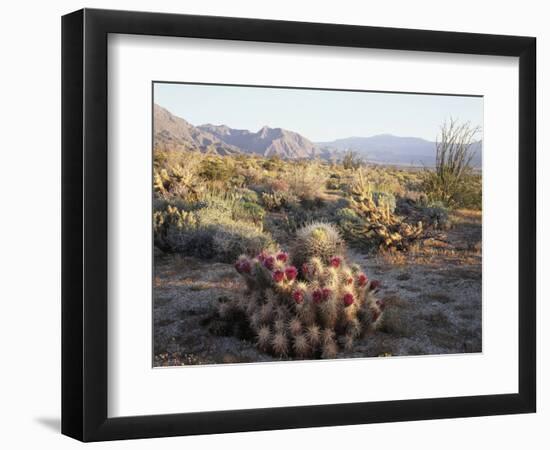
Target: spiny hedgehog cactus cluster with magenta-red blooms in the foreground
(307,311)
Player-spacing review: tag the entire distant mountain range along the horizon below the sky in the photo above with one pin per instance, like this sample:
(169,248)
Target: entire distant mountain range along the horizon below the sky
(174,132)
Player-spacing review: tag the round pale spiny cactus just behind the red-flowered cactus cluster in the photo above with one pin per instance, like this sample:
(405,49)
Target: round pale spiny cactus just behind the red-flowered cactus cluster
(318,239)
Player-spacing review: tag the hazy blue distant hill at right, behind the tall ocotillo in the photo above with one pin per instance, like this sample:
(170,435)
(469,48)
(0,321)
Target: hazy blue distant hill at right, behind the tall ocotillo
(390,149)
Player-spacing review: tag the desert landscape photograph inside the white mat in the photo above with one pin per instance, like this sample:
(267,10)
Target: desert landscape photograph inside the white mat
(309,224)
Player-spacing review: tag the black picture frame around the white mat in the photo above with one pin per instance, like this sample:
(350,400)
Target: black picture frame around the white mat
(84,224)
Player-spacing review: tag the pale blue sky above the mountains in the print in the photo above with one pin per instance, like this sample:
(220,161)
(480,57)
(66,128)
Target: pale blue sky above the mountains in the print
(319,115)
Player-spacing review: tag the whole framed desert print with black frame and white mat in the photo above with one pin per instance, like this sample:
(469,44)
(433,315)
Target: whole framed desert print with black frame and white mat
(273,224)
